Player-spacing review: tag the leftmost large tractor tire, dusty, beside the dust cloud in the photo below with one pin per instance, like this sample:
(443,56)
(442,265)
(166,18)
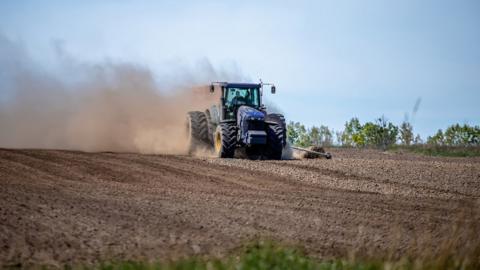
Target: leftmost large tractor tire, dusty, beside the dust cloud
(197,130)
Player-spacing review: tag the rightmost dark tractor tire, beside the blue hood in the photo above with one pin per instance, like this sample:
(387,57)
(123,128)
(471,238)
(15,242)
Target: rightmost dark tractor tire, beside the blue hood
(276,136)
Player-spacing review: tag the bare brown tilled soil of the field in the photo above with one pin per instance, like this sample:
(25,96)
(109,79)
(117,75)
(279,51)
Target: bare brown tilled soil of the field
(60,207)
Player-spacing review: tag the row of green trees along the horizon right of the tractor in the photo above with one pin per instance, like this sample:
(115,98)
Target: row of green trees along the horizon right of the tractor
(380,133)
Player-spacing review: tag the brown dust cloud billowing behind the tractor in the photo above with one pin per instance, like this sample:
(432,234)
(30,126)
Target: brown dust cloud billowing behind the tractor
(118,107)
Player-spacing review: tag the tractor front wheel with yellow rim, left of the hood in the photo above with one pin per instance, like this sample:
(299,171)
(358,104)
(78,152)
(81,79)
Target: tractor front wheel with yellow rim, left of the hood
(225,140)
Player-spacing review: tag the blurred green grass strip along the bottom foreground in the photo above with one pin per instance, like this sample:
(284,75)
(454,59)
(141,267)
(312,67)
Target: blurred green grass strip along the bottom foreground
(269,256)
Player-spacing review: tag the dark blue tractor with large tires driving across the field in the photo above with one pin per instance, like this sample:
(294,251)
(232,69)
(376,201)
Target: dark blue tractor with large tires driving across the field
(239,120)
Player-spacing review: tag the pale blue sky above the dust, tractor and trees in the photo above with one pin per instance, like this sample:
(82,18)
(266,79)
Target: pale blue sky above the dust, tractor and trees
(330,60)
